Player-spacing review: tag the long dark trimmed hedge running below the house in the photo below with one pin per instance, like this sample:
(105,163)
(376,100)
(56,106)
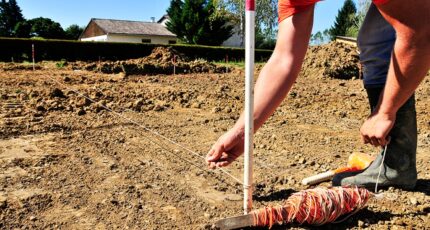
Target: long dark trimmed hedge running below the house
(16,49)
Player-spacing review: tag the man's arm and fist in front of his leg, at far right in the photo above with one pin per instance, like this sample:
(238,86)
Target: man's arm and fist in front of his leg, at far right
(410,62)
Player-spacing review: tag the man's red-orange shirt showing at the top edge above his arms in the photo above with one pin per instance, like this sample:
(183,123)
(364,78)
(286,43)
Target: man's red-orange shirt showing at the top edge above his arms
(286,8)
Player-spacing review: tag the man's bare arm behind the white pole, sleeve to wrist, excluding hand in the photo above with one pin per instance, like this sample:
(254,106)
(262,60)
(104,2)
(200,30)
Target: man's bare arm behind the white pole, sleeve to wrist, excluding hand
(282,69)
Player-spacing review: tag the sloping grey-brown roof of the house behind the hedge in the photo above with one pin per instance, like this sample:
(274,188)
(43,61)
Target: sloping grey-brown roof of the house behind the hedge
(112,26)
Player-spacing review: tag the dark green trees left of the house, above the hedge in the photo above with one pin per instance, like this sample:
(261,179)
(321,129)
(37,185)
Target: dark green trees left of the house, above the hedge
(13,24)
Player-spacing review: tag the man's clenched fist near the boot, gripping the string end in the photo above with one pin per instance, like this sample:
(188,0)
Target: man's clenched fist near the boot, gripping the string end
(376,129)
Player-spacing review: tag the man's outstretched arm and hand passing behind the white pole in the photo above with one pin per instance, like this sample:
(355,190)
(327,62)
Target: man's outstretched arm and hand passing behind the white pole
(273,84)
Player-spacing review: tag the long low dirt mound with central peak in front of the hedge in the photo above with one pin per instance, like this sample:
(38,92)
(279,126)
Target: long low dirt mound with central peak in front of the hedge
(163,60)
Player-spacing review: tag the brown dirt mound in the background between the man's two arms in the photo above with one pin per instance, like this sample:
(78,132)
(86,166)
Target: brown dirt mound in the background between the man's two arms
(334,60)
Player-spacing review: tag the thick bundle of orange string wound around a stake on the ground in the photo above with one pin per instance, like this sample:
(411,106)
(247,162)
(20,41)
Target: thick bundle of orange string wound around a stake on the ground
(316,206)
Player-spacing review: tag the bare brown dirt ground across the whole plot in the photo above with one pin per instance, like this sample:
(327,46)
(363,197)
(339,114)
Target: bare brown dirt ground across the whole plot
(67,162)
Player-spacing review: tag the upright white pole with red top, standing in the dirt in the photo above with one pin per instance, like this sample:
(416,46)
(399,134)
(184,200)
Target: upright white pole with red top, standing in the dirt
(249,102)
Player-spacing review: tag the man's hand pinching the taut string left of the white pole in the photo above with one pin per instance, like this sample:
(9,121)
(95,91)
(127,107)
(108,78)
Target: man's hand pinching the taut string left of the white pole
(228,147)
